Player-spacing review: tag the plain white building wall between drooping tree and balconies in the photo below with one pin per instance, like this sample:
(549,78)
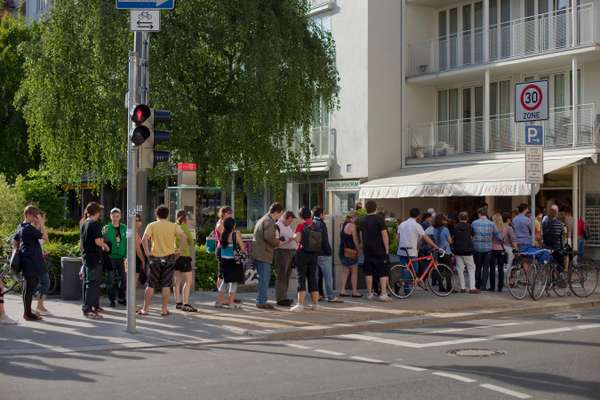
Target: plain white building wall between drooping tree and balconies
(361,140)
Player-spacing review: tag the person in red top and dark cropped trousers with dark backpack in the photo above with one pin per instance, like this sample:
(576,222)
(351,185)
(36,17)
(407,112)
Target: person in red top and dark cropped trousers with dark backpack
(310,245)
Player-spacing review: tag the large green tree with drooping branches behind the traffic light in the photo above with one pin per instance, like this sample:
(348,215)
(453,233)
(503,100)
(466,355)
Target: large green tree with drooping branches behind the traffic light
(241,77)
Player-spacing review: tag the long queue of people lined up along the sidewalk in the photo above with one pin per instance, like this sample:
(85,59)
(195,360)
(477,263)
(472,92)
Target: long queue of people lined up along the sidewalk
(483,244)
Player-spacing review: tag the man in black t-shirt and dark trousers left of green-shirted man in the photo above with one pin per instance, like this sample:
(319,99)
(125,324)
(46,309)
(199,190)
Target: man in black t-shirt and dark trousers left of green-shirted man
(92,245)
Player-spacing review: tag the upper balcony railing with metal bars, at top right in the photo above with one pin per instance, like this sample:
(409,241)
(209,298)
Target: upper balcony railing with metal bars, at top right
(519,38)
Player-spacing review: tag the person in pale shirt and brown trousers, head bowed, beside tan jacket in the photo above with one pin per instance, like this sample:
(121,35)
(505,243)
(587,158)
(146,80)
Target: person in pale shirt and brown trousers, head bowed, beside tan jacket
(283,258)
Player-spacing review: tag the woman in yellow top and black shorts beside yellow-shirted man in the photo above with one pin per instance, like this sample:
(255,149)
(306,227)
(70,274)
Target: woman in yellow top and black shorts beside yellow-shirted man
(183,267)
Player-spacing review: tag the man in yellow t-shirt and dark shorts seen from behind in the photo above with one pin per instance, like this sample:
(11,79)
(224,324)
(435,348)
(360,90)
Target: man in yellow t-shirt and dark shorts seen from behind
(161,257)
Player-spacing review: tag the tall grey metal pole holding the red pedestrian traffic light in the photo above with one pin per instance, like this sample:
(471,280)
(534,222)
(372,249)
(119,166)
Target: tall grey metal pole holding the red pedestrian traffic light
(134,98)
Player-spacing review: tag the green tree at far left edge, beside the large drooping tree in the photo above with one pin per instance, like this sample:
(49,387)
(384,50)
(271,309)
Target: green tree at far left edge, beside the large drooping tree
(15,157)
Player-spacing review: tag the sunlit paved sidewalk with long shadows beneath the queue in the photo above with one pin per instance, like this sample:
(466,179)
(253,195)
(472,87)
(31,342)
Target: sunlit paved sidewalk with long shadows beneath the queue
(68,331)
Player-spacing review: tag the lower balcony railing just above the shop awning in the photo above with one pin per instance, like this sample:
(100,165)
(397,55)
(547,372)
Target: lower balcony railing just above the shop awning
(446,138)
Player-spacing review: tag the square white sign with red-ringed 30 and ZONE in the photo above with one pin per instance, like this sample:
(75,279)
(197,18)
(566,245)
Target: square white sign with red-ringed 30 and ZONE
(531,101)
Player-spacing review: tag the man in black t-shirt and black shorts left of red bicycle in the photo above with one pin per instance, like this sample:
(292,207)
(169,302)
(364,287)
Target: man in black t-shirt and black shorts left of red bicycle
(375,242)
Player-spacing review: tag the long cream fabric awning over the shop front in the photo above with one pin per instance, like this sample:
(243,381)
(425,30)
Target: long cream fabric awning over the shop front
(505,178)
